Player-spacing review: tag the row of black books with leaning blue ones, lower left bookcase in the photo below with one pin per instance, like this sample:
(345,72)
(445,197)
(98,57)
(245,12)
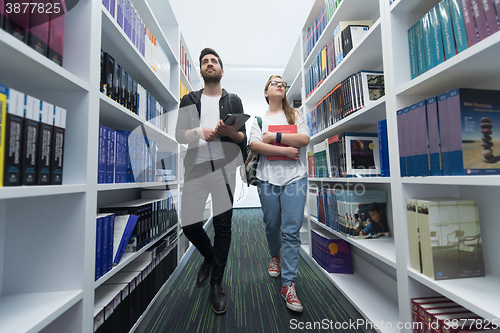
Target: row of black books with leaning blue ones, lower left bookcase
(154,217)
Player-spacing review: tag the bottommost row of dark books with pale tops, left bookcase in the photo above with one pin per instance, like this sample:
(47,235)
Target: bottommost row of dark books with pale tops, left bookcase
(121,300)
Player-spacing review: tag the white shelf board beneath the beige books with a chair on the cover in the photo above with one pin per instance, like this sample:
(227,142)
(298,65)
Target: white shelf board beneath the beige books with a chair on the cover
(479,295)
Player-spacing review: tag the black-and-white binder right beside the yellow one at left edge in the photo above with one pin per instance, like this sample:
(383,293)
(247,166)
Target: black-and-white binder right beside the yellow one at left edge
(14,124)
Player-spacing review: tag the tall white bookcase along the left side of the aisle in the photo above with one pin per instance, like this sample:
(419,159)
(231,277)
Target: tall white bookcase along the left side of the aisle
(47,275)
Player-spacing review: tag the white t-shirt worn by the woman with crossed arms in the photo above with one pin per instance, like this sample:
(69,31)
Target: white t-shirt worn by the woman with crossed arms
(280,172)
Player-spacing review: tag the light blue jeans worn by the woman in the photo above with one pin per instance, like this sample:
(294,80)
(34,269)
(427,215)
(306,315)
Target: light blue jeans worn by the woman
(283,208)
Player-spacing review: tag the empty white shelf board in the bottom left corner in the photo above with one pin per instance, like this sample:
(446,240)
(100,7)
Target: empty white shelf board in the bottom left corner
(39,309)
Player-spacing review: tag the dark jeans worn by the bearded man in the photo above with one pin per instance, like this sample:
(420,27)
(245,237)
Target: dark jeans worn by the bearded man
(194,195)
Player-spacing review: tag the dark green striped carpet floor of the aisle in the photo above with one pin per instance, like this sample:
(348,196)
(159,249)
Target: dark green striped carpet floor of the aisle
(255,303)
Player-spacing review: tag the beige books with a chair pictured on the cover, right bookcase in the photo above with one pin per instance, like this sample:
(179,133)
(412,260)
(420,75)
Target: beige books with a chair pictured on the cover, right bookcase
(445,238)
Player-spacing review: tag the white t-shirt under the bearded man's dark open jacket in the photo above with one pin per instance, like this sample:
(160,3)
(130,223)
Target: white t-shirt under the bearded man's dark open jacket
(210,116)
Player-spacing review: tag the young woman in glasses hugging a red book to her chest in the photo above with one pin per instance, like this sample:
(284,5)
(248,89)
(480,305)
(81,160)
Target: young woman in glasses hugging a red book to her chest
(282,184)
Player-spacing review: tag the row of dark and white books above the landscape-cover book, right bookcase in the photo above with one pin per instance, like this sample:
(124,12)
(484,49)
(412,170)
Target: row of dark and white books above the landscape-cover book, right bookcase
(354,93)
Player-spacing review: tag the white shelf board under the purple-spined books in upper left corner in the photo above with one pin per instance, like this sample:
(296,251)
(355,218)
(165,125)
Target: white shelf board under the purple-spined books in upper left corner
(31,64)
